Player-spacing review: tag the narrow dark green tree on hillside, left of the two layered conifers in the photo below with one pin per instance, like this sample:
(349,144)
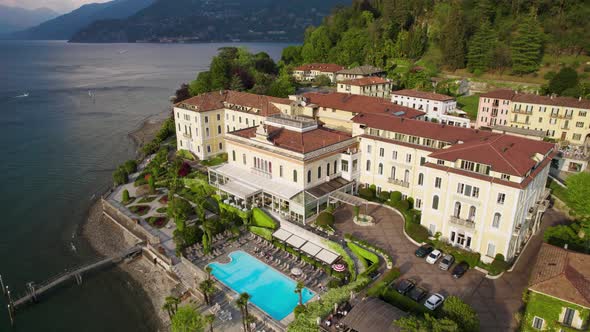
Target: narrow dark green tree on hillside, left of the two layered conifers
(452,44)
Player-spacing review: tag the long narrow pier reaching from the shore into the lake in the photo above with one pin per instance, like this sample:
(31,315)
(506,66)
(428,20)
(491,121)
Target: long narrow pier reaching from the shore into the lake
(34,291)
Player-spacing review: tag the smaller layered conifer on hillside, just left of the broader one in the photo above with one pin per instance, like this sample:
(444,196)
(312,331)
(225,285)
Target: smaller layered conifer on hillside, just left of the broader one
(481,48)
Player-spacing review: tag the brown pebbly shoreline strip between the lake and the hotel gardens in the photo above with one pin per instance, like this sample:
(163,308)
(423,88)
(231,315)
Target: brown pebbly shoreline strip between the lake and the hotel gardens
(106,238)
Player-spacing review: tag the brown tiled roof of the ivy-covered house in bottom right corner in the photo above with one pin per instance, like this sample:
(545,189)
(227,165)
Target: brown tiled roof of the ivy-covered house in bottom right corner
(563,274)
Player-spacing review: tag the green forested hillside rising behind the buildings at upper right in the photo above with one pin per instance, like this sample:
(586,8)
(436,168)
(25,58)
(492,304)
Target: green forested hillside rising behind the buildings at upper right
(482,36)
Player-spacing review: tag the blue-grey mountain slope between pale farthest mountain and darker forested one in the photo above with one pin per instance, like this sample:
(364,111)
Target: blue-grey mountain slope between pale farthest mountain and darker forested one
(65,26)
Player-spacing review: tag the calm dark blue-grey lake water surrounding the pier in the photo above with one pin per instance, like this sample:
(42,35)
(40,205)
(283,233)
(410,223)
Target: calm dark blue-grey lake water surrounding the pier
(58,147)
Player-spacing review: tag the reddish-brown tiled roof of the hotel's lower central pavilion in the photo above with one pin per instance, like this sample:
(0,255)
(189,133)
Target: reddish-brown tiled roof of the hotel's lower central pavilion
(296,141)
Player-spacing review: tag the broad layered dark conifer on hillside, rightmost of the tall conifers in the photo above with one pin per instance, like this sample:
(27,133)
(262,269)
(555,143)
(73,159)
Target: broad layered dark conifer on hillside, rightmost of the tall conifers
(527,46)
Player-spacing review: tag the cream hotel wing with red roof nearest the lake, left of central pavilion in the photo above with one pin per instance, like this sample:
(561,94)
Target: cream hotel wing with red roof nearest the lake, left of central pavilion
(203,120)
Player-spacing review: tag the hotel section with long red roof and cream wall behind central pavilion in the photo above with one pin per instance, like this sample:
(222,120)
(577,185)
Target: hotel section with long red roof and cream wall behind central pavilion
(336,110)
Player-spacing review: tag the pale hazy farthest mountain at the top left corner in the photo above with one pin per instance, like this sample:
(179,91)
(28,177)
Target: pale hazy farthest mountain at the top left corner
(15,18)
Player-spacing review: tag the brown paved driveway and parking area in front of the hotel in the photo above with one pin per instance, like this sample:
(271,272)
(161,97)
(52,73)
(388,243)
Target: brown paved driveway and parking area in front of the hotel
(496,301)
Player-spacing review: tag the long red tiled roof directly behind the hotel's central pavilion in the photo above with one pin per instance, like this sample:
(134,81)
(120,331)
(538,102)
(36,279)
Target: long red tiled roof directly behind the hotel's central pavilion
(359,104)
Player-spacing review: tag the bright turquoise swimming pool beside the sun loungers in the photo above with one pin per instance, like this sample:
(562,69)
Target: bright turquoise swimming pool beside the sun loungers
(269,290)
